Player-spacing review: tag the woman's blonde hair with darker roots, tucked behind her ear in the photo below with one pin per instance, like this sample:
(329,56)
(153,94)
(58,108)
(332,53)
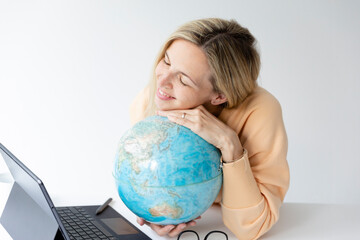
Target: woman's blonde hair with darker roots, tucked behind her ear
(231,53)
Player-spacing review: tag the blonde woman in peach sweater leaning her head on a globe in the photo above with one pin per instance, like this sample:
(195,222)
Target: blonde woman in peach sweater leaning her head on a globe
(205,79)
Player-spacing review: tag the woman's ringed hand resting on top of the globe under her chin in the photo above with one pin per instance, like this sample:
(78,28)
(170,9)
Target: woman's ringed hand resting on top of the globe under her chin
(210,128)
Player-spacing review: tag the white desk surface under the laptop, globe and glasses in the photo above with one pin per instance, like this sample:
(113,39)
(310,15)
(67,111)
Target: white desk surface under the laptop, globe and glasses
(297,221)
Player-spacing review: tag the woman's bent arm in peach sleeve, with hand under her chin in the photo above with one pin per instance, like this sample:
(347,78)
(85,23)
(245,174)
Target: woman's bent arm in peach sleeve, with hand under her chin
(256,180)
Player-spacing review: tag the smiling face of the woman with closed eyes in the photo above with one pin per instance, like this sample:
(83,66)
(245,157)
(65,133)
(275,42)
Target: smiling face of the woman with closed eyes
(183,78)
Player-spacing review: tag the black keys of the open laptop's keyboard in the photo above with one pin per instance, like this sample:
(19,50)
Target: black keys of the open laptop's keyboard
(80,225)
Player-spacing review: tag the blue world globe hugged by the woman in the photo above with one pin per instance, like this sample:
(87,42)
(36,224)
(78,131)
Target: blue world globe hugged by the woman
(165,173)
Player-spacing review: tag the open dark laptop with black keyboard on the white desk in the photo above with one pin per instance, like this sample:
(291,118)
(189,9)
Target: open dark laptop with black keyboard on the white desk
(29,212)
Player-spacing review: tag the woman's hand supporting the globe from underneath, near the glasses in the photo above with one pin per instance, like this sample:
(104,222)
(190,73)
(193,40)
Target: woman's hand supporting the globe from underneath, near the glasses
(170,230)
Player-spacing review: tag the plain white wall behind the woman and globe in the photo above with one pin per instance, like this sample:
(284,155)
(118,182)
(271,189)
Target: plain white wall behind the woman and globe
(69,70)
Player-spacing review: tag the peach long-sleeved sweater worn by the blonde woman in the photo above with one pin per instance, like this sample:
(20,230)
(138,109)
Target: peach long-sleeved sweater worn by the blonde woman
(254,186)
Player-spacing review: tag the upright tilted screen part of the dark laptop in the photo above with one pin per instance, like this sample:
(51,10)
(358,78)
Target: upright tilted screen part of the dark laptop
(28,211)
